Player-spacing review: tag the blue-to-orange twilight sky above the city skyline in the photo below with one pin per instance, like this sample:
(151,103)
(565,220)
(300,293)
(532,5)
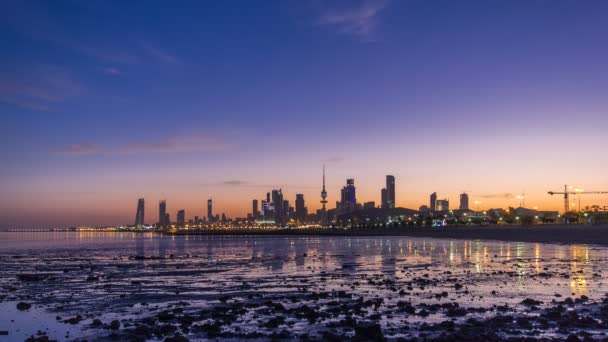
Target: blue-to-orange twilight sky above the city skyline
(103,102)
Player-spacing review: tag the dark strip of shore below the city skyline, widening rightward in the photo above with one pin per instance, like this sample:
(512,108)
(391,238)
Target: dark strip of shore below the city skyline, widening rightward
(562,234)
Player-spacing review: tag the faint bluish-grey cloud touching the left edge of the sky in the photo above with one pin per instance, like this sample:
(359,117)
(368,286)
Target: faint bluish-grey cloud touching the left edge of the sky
(38,87)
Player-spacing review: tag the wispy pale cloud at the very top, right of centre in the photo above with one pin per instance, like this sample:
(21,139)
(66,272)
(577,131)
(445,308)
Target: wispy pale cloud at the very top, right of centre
(359,21)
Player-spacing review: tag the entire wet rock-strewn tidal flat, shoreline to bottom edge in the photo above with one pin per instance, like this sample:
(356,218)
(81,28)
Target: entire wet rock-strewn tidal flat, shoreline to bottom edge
(120,286)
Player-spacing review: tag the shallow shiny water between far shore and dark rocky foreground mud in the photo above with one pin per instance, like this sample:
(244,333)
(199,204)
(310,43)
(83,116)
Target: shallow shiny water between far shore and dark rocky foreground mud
(201,269)
